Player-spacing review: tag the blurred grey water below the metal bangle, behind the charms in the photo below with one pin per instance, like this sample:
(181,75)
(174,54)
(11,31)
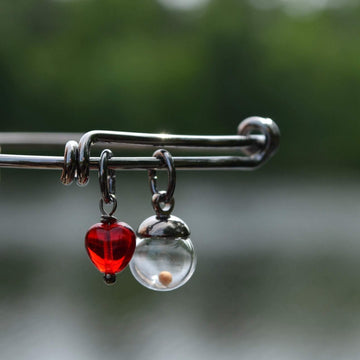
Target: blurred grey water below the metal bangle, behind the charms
(277,276)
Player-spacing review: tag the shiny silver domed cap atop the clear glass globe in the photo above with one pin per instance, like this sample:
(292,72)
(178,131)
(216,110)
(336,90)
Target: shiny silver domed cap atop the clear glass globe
(169,228)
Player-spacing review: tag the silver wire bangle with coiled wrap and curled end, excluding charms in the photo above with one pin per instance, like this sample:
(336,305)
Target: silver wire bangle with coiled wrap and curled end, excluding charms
(77,160)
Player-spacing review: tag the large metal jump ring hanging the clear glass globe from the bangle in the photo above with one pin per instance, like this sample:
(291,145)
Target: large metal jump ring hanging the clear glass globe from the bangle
(167,159)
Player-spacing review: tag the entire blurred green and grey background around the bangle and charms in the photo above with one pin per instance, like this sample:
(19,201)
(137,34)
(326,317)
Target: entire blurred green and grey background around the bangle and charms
(278,273)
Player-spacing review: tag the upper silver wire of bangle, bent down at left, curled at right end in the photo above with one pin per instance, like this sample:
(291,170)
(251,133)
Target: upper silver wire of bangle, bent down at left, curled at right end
(260,147)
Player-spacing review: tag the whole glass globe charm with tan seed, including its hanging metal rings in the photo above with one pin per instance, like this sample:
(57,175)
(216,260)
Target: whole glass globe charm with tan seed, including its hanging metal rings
(164,258)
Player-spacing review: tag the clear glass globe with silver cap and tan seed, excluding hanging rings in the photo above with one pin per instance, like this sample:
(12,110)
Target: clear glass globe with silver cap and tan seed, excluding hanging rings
(164,257)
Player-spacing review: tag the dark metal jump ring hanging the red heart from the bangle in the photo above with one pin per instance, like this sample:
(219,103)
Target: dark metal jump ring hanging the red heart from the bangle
(106,177)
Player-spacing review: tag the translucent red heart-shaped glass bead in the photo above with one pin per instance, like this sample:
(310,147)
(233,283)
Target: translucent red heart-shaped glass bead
(110,246)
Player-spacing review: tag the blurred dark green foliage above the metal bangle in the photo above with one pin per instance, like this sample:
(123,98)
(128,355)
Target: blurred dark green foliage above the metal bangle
(139,66)
